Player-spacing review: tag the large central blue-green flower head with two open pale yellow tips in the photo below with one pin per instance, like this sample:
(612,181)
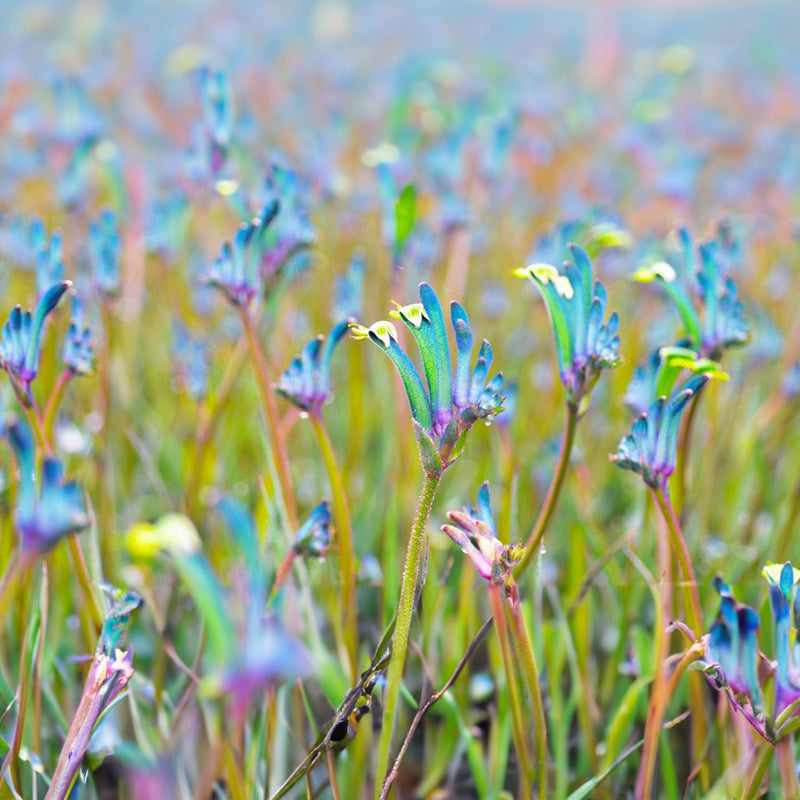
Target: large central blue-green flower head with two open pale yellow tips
(451,405)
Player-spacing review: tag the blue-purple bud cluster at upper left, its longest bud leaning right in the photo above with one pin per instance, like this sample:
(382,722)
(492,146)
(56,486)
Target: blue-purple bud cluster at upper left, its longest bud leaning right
(235,271)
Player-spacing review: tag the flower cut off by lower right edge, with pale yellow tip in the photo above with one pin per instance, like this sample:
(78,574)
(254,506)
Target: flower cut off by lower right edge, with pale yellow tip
(782,592)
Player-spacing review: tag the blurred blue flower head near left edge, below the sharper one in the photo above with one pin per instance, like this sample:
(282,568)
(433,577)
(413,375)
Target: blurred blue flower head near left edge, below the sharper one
(57,510)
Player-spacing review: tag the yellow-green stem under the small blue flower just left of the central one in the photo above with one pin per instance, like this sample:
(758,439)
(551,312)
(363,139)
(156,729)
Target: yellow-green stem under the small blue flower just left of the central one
(344,531)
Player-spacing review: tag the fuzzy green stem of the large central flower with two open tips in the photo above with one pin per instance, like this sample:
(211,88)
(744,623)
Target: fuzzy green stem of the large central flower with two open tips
(405,610)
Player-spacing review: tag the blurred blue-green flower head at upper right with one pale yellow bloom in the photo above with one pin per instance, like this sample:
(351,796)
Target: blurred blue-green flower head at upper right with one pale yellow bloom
(718,323)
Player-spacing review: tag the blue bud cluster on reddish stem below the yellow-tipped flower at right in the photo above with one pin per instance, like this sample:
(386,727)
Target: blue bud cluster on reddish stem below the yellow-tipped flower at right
(651,447)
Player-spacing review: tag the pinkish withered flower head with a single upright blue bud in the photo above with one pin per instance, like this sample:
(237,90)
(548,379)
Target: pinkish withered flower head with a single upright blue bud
(474,532)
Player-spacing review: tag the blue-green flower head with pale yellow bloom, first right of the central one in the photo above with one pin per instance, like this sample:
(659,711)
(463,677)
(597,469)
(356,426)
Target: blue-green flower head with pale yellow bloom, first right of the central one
(585,344)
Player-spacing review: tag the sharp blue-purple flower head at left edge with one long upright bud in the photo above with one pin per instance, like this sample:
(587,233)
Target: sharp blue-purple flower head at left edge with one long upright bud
(21,335)
